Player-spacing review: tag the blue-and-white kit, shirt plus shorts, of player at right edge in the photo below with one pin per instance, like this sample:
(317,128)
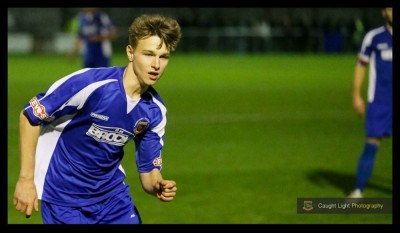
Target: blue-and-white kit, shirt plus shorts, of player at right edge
(377,51)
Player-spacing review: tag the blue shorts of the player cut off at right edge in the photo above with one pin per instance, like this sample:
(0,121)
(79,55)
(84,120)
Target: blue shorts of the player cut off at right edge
(378,120)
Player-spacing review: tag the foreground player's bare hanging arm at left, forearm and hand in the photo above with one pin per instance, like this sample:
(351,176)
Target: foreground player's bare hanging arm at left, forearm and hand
(25,196)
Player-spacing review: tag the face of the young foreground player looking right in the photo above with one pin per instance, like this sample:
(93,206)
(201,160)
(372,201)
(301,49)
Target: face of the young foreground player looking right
(149,60)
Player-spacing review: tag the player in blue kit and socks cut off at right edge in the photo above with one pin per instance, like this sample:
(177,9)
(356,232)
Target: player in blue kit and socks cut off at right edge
(376,51)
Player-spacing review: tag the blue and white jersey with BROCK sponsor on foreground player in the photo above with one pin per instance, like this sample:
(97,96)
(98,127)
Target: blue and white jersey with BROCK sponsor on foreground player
(86,119)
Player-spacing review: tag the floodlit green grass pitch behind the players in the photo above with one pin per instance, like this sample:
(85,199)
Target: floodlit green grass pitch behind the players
(246,136)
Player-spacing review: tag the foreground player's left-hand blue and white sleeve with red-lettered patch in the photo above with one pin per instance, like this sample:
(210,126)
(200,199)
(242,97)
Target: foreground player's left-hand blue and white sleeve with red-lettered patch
(63,97)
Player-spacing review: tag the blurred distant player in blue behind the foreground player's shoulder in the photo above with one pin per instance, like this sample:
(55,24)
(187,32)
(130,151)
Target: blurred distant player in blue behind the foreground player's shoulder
(94,37)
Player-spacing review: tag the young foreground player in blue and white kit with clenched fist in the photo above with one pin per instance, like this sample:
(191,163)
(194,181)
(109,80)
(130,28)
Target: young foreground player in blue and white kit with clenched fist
(72,136)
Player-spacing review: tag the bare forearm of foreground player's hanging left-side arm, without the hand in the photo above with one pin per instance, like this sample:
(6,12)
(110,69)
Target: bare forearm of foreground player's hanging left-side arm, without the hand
(28,139)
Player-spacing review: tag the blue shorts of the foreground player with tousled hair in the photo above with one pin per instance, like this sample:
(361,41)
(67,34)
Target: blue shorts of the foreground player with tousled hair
(118,209)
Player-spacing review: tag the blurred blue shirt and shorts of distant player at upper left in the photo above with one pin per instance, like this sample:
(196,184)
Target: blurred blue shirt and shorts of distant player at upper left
(96,54)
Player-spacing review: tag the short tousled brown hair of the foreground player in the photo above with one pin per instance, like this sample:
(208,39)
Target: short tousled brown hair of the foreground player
(164,27)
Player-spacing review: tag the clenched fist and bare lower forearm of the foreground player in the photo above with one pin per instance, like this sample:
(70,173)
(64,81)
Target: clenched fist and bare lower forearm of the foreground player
(153,183)
